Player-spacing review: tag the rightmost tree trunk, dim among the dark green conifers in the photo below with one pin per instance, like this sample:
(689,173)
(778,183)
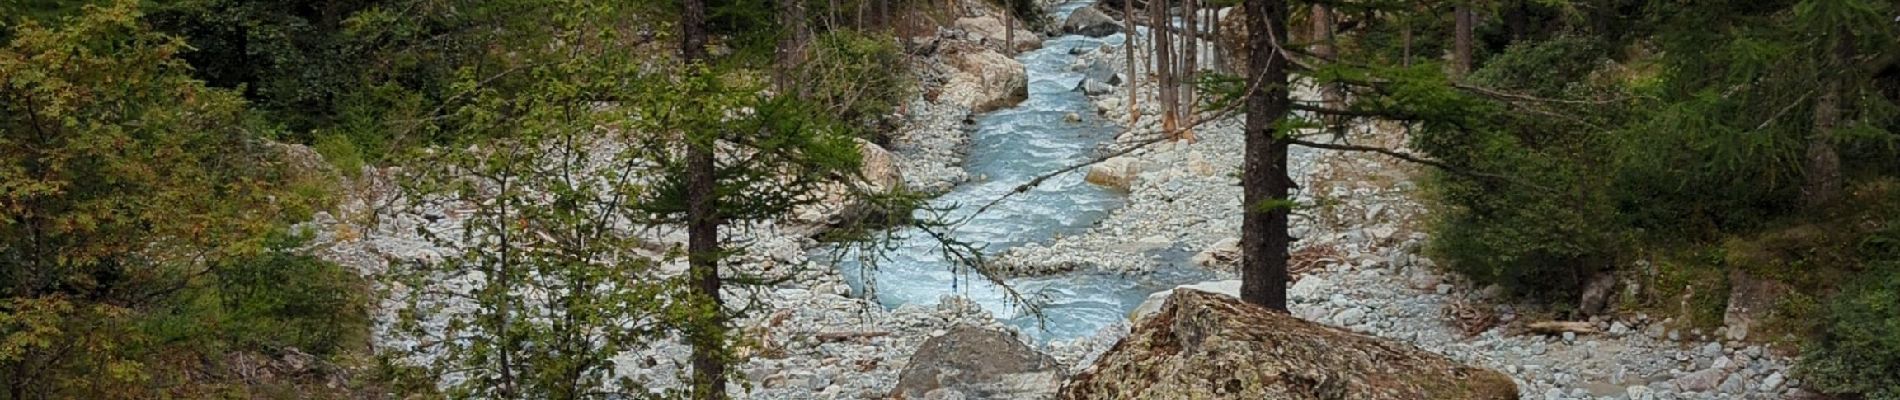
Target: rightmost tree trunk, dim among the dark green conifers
(1823,172)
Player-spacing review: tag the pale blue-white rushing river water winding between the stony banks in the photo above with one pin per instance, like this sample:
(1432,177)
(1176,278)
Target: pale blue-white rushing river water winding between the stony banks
(1010,149)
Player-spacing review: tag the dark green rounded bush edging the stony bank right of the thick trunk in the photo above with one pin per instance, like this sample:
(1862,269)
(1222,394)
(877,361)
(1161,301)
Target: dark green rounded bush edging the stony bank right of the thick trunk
(1548,230)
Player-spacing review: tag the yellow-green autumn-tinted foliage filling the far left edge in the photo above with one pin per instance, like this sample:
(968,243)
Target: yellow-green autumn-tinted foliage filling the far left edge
(134,196)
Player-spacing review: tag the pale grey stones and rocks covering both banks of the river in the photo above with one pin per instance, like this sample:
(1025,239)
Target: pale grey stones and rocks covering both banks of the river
(1358,257)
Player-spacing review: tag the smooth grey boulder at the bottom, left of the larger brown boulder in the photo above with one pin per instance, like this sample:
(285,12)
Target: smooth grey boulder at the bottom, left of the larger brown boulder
(976,363)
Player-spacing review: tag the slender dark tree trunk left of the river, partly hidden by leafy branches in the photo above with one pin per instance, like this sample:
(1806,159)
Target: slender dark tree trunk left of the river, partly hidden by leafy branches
(702,228)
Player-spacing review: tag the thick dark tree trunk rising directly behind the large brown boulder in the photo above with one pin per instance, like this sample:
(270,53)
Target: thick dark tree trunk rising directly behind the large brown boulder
(1264,177)
